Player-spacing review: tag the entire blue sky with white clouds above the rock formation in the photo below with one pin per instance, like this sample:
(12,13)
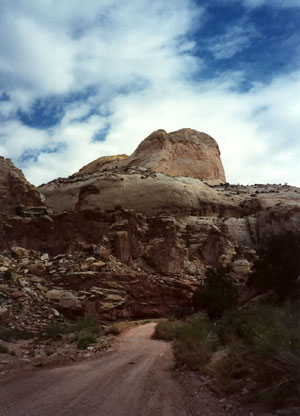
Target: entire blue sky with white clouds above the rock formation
(84,79)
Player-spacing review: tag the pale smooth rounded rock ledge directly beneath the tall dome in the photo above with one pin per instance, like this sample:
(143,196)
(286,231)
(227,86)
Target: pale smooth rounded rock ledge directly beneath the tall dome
(138,189)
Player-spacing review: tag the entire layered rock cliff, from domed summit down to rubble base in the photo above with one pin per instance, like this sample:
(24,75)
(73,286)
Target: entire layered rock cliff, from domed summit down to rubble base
(127,241)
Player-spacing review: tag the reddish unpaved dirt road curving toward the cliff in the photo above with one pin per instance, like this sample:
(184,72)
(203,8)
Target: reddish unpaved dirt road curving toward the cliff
(133,381)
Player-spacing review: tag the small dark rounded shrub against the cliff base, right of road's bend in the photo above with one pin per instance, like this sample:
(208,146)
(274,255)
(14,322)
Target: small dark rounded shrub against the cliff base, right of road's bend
(217,294)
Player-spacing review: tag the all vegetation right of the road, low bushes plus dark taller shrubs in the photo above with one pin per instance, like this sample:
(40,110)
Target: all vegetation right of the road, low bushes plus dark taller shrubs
(254,351)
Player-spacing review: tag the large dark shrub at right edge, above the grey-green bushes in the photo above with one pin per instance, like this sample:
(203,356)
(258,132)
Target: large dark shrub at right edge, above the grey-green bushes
(278,267)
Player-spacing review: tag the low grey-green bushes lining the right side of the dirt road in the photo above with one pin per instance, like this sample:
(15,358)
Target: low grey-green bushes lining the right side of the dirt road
(259,349)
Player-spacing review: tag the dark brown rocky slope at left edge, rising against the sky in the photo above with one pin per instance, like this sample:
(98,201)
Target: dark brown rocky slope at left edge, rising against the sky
(17,195)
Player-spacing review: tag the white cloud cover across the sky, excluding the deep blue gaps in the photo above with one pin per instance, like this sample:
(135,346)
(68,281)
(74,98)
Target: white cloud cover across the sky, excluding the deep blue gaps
(139,63)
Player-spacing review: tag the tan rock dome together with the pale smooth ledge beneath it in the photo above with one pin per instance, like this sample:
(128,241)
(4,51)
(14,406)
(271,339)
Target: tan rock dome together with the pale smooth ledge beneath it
(165,173)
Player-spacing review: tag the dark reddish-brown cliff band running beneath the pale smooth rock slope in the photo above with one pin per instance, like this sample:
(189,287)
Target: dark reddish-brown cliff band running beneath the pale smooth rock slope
(178,244)
